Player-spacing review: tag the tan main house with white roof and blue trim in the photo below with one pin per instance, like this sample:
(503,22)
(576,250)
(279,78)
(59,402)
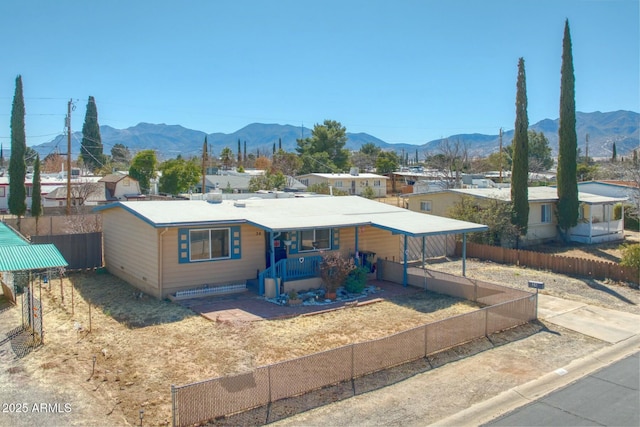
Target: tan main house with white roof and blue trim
(168,247)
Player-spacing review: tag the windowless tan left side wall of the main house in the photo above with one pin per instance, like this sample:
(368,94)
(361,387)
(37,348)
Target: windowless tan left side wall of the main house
(130,249)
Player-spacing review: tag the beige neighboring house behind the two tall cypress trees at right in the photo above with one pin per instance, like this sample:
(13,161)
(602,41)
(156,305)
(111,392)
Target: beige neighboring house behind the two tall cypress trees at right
(596,223)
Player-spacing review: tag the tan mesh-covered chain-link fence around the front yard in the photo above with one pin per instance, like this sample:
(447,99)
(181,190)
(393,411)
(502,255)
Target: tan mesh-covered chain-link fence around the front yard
(206,400)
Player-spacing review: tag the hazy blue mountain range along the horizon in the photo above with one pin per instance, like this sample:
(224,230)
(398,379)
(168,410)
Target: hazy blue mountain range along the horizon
(621,127)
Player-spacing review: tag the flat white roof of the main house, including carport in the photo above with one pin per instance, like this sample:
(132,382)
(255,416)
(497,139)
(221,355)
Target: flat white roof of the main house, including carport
(295,214)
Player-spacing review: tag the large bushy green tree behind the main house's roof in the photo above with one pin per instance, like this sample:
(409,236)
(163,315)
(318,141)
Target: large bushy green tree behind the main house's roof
(324,149)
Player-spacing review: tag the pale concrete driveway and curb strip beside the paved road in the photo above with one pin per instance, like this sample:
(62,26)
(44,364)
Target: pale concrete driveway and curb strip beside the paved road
(620,329)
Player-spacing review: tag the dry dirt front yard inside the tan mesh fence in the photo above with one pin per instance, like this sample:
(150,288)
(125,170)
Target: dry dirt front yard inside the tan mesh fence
(142,346)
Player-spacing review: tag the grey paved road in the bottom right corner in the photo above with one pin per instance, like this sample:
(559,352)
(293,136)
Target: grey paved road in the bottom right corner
(609,397)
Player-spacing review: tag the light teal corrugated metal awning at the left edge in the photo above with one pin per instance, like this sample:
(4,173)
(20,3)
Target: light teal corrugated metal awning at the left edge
(30,257)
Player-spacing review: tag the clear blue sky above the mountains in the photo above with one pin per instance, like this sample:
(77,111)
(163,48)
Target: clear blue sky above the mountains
(404,71)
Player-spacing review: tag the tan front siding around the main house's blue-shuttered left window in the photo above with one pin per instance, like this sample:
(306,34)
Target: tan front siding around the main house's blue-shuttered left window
(178,276)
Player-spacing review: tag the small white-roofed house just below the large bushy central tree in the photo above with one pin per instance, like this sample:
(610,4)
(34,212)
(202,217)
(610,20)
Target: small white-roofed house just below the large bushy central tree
(353,183)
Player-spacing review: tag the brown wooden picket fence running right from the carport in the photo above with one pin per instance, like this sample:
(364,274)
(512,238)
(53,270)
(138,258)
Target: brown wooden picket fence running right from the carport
(556,263)
